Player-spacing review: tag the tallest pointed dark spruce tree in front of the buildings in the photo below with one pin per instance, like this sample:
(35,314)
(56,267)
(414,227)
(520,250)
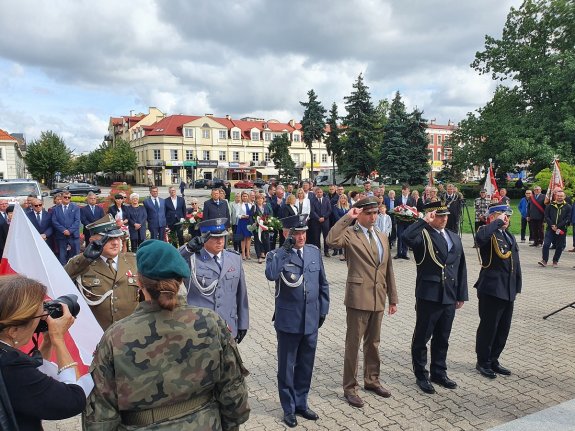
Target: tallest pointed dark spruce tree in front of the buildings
(361,135)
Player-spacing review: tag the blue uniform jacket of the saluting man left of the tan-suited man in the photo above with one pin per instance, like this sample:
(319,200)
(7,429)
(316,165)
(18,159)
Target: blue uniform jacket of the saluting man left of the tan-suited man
(298,309)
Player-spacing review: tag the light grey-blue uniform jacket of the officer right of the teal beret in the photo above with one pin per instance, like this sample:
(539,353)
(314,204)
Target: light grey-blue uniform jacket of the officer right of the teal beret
(230,298)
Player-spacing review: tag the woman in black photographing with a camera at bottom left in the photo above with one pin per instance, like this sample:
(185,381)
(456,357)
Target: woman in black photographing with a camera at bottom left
(32,389)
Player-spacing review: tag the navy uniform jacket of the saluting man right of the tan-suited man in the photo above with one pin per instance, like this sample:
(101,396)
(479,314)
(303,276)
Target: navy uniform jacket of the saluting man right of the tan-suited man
(444,285)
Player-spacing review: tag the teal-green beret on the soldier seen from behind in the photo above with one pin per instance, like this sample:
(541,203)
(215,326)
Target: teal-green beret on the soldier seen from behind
(160,260)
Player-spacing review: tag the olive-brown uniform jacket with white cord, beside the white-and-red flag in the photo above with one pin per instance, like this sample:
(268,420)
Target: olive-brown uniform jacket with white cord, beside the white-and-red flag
(94,278)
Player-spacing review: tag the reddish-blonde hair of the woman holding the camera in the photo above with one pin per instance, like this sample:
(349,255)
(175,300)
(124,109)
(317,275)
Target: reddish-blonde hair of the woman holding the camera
(20,298)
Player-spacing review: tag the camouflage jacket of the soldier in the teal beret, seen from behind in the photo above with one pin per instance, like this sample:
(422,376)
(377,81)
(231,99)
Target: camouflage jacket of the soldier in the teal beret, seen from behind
(156,358)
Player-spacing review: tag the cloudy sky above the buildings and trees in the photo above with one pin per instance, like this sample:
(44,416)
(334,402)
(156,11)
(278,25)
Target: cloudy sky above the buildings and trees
(68,65)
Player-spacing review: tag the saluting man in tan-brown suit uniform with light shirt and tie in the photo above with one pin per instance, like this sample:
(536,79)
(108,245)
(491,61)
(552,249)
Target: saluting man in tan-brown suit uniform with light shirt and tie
(370,280)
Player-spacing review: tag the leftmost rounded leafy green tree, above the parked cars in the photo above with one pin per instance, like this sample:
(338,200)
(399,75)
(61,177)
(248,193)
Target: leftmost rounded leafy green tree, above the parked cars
(46,156)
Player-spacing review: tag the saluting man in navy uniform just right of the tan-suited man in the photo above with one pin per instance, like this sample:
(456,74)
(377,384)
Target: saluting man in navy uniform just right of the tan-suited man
(440,289)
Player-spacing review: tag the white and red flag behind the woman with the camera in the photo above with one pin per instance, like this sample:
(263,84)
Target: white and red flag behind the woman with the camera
(26,253)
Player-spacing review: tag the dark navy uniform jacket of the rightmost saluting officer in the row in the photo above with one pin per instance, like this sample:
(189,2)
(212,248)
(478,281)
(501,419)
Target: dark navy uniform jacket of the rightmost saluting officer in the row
(499,277)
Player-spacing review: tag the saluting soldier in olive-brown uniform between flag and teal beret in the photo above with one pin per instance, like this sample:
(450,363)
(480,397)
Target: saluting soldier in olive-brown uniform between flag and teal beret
(104,275)
